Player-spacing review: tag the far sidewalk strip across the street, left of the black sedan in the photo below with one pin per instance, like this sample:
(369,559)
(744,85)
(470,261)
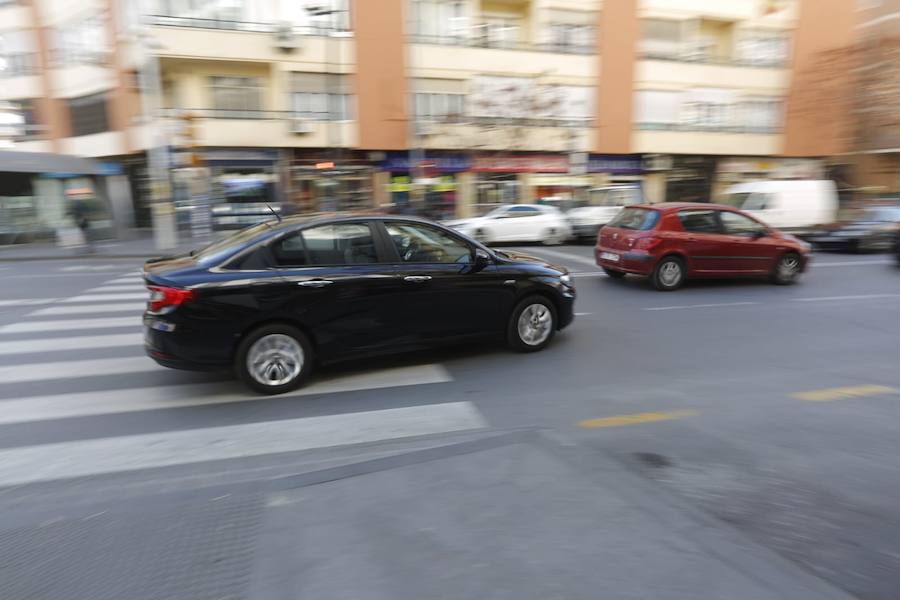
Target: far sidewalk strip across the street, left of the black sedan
(141,246)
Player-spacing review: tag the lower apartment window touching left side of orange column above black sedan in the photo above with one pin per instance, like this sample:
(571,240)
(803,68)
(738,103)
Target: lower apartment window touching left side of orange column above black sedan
(321,96)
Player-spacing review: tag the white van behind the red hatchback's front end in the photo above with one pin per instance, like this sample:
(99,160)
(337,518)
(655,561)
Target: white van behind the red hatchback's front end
(793,206)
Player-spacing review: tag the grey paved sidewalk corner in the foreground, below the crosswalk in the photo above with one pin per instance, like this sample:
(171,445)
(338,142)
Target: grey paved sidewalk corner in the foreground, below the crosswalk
(507,515)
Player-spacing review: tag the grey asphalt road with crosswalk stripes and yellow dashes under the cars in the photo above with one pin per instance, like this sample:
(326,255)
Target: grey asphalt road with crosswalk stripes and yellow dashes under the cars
(774,409)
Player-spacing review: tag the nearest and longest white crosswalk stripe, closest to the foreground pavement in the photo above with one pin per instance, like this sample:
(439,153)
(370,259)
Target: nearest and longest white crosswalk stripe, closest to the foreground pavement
(65,460)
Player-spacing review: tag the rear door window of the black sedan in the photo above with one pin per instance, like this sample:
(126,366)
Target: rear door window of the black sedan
(339,244)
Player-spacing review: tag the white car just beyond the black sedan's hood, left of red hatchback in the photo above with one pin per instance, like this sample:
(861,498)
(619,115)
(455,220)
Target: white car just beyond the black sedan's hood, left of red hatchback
(517,223)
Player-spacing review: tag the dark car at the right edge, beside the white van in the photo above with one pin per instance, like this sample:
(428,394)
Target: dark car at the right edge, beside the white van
(872,231)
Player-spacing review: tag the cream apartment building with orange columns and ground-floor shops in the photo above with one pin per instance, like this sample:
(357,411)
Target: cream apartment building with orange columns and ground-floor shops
(454,105)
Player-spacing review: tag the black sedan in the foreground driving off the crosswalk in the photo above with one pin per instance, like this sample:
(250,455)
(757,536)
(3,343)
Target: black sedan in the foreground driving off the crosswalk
(274,299)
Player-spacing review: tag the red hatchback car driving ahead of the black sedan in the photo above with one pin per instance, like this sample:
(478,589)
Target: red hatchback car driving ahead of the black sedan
(675,241)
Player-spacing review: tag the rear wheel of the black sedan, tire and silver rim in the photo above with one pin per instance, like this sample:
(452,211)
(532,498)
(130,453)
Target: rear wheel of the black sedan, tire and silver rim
(274,359)
